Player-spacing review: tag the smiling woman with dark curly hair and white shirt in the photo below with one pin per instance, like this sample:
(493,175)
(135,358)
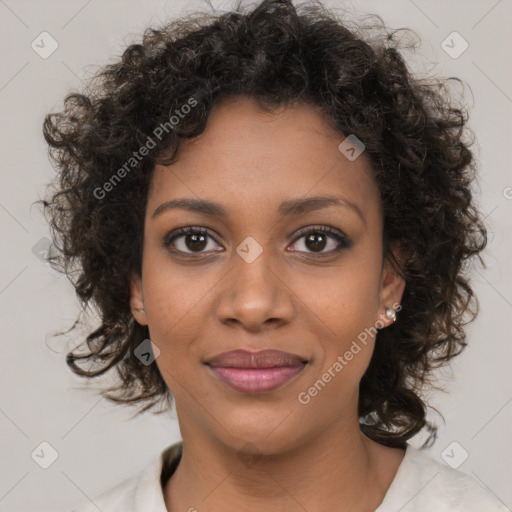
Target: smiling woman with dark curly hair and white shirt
(273,218)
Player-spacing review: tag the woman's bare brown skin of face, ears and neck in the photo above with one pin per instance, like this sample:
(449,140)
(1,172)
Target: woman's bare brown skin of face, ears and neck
(249,452)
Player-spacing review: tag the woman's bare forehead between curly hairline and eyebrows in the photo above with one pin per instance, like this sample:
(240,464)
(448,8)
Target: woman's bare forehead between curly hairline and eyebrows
(250,160)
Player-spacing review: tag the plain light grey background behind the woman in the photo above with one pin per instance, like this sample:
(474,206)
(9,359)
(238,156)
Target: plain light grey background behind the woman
(97,443)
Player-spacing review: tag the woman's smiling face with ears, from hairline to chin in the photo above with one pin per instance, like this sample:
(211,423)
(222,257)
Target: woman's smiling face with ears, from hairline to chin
(267,268)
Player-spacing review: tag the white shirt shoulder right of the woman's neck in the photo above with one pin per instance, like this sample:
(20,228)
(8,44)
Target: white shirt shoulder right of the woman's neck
(423,484)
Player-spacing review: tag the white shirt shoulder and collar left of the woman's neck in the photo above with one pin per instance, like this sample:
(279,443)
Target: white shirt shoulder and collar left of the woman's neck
(139,493)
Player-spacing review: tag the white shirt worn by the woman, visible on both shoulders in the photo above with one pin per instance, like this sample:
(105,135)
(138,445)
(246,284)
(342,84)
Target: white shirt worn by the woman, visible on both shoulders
(421,485)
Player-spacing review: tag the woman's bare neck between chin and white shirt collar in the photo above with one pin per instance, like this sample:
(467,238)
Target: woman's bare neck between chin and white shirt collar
(339,470)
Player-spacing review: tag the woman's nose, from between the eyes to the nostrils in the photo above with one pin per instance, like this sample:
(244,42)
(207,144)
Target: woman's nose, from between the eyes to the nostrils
(255,295)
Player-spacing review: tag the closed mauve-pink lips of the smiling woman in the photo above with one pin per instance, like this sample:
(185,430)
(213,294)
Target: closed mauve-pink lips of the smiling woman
(256,372)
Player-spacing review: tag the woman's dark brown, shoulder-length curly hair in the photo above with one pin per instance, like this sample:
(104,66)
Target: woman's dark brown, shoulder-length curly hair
(414,134)
